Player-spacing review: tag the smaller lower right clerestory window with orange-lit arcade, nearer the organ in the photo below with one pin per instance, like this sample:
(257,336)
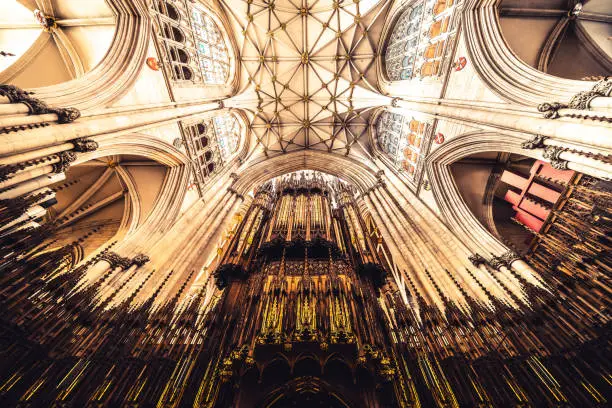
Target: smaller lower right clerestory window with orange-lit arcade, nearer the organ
(401,138)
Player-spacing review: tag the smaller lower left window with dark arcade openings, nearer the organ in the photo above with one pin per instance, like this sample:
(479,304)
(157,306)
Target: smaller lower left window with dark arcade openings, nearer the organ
(212,143)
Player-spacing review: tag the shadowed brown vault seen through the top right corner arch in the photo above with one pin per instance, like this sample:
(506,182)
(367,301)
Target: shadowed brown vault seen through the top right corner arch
(565,39)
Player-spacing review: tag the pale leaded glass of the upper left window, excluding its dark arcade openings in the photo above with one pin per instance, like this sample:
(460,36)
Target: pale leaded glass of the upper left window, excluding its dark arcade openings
(211,49)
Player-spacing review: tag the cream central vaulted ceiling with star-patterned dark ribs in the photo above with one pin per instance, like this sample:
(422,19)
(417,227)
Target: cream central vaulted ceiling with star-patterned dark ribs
(309,67)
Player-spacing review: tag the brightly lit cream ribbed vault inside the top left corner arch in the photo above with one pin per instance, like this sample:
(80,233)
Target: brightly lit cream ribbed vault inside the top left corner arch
(63,36)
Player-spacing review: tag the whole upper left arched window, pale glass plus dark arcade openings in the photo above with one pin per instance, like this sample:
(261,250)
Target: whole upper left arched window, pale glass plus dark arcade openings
(192,44)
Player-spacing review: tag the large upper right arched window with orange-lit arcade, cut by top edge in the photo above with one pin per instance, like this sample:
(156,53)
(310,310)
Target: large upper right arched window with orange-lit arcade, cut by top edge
(419,40)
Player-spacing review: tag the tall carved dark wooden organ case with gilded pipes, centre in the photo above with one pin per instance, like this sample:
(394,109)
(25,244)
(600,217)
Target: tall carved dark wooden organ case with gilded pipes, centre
(299,321)
